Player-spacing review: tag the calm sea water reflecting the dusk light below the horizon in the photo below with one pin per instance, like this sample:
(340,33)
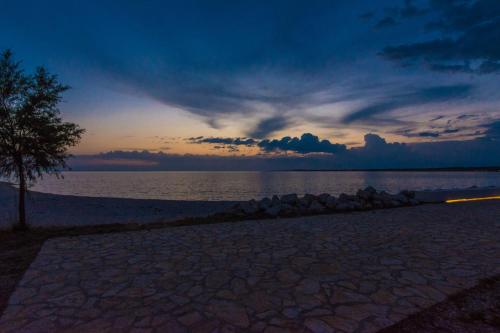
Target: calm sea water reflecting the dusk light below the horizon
(247,185)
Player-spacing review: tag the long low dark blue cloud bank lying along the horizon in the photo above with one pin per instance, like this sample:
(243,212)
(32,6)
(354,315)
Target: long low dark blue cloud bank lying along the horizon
(375,154)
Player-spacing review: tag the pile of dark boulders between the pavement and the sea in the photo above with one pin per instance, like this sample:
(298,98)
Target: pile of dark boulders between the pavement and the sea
(309,204)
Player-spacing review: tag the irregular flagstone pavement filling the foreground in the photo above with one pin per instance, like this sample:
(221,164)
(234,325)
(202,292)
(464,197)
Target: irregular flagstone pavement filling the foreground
(340,273)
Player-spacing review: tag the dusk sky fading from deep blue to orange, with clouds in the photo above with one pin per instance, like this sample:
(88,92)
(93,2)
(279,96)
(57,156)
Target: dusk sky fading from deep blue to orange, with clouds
(270,84)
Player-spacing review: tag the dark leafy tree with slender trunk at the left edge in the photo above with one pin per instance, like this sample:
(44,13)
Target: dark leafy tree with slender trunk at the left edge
(33,138)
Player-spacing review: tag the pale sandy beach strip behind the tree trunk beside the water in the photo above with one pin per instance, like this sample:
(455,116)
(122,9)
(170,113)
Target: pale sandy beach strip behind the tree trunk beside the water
(64,210)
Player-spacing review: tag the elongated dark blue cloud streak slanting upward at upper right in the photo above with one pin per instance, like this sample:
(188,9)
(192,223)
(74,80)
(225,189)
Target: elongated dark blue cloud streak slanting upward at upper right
(437,94)
